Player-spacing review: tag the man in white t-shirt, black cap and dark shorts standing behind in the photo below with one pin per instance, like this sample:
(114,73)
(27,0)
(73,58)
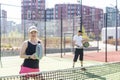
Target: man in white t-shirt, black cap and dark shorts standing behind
(78,44)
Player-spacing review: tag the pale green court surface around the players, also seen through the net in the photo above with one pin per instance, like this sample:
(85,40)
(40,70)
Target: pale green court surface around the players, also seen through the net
(56,68)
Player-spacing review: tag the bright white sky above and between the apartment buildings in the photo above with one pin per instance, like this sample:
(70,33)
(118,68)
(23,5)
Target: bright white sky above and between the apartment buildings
(14,12)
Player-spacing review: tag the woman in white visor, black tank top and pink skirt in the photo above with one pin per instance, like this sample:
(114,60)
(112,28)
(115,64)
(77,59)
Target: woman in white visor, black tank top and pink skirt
(27,51)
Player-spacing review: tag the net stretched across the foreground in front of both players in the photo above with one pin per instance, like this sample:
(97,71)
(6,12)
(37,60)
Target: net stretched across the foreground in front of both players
(97,72)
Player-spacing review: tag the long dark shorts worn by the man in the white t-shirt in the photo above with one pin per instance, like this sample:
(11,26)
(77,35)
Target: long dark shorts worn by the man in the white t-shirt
(78,53)
